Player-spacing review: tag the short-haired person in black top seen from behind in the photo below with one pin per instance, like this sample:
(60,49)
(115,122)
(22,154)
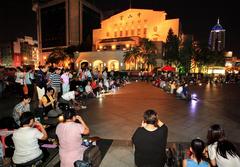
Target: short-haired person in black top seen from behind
(150,141)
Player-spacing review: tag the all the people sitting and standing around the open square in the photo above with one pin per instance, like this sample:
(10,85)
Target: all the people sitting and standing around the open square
(58,92)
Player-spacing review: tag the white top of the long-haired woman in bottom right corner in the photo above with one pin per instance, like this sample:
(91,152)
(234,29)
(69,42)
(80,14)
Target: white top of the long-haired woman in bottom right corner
(222,162)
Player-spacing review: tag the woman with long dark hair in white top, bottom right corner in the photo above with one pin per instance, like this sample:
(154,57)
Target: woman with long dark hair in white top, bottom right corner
(222,153)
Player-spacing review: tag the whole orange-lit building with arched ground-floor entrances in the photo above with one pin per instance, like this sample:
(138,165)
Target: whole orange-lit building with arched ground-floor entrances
(124,30)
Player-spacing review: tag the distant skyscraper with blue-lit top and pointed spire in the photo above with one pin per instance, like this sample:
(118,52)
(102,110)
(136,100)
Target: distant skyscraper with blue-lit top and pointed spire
(217,38)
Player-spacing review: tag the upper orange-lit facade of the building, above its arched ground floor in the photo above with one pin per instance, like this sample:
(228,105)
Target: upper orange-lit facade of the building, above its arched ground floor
(125,29)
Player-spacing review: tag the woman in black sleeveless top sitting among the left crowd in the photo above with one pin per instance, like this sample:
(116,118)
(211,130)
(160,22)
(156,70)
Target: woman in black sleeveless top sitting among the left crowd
(49,104)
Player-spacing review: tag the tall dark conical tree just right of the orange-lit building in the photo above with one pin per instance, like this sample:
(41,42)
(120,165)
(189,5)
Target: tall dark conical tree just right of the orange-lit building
(172,48)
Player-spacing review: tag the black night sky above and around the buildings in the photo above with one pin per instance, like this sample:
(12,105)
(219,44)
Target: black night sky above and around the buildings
(197,17)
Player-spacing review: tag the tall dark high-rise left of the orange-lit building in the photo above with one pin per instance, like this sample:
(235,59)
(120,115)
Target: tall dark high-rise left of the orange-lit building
(62,23)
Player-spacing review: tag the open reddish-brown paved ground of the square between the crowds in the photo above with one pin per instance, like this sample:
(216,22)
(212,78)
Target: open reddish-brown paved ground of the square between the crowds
(116,116)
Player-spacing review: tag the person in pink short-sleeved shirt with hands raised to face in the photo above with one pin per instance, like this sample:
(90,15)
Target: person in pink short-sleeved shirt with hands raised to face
(69,135)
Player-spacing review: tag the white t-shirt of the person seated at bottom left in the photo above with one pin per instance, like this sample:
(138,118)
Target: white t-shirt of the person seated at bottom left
(25,140)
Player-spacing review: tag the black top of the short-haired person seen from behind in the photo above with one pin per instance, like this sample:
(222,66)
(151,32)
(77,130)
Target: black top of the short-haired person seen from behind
(150,147)
